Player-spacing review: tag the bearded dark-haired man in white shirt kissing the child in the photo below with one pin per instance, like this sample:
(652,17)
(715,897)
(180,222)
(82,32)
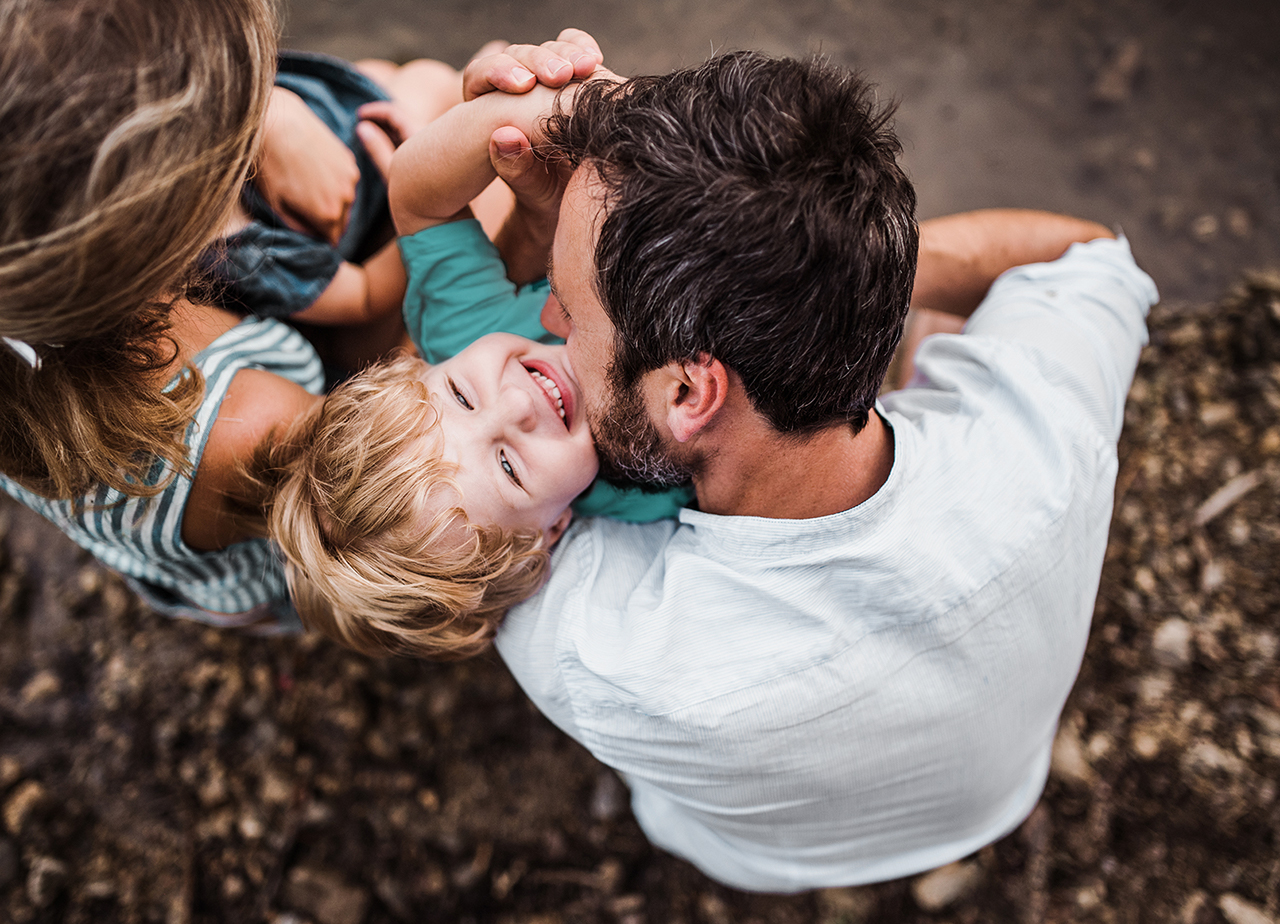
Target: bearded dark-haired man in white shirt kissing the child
(848,664)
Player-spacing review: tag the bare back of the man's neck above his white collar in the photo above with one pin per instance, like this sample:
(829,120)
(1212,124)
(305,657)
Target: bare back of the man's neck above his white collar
(762,474)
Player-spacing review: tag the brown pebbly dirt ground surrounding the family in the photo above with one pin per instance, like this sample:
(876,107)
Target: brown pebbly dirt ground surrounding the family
(162,772)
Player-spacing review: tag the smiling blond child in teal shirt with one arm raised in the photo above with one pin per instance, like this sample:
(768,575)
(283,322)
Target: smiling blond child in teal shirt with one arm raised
(419,502)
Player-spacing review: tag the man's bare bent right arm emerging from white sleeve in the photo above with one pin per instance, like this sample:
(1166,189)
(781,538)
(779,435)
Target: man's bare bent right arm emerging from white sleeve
(962,255)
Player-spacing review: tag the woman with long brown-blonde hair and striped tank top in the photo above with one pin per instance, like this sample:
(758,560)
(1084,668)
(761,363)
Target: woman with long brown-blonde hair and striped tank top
(127,410)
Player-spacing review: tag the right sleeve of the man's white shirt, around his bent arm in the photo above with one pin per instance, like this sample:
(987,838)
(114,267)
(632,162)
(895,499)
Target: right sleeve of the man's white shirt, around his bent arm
(1085,318)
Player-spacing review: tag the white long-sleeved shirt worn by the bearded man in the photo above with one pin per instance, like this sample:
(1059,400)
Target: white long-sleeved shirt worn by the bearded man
(856,698)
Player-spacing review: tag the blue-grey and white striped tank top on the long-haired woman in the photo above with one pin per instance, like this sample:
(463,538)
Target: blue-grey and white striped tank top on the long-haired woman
(141,538)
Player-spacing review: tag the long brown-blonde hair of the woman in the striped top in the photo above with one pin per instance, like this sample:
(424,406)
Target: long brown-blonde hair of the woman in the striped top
(126,131)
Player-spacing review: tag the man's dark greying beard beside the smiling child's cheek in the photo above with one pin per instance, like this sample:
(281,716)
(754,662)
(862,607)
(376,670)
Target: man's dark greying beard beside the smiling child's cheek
(632,451)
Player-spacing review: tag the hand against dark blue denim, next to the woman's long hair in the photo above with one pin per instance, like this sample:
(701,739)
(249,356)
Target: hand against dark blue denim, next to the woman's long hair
(305,172)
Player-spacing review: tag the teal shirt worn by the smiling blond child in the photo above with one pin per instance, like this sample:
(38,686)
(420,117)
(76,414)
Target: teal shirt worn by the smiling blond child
(458,294)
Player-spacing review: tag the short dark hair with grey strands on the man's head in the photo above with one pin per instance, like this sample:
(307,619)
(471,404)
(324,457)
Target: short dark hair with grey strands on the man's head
(755,212)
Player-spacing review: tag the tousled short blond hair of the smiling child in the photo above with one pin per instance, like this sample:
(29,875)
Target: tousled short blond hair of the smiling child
(380,554)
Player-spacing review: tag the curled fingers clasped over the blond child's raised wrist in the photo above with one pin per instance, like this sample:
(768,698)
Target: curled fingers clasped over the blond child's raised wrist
(574,56)
